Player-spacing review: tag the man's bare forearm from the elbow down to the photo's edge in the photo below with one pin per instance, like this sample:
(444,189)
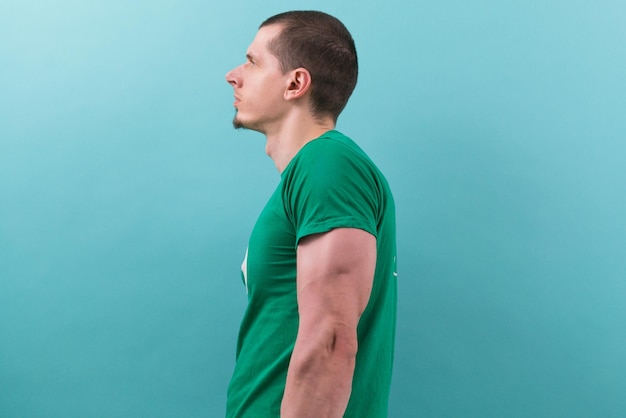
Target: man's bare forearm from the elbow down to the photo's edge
(319,379)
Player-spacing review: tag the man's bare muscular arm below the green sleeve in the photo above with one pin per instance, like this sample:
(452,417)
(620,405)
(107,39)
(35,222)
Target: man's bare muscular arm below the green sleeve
(335,275)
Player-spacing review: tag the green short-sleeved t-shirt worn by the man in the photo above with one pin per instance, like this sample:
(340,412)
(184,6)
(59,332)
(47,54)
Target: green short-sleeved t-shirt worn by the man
(330,183)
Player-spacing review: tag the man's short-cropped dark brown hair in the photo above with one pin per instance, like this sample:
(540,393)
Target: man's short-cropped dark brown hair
(321,44)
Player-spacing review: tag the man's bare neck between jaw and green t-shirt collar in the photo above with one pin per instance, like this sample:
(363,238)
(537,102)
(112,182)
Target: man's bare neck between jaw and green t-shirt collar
(284,142)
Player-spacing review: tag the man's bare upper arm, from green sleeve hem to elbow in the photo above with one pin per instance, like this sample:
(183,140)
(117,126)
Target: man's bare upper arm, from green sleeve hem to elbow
(335,273)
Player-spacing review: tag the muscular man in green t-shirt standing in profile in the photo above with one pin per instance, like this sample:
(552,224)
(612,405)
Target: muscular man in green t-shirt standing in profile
(317,336)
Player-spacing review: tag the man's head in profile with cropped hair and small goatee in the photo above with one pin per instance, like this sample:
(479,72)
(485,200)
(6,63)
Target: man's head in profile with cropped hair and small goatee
(295,55)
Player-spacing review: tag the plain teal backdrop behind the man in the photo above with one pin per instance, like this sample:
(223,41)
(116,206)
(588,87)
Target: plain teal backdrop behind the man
(126,200)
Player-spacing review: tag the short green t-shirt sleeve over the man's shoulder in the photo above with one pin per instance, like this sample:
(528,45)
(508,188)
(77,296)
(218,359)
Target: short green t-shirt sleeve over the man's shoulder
(330,186)
